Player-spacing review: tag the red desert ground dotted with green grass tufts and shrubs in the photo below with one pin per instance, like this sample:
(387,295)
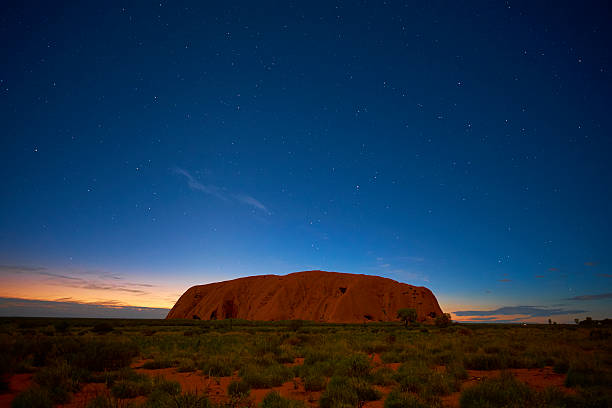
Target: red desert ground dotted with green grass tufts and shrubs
(92,363)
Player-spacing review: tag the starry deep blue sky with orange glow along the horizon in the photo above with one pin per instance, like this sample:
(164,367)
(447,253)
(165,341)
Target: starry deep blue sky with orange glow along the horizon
(150,146)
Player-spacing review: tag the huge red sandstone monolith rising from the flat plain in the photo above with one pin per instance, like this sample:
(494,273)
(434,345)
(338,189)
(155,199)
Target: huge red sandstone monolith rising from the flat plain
(312,295)
